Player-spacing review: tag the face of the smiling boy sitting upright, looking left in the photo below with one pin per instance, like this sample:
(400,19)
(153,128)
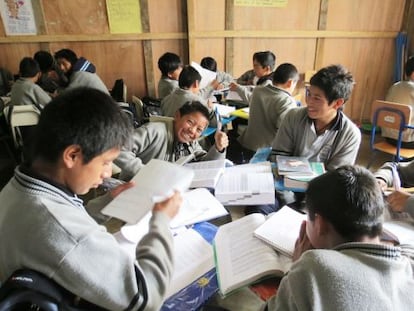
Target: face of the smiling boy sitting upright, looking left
(318,104)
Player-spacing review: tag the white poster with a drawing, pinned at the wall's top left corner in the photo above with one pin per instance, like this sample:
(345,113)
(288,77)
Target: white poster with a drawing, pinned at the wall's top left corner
(18,17)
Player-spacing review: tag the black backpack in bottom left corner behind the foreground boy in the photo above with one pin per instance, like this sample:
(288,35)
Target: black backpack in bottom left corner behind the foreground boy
(30,290)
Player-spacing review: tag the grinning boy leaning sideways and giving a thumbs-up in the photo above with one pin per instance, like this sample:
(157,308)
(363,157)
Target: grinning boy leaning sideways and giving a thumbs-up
(171,139)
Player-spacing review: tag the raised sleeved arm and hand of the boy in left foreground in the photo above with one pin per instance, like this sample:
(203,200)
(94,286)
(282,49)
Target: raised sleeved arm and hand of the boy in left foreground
(98,270)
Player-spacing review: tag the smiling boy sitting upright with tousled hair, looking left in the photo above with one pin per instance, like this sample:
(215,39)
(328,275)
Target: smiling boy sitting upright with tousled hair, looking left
(321,131)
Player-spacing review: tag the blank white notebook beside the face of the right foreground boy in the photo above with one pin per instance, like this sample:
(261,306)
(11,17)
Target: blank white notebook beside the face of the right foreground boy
(281,230)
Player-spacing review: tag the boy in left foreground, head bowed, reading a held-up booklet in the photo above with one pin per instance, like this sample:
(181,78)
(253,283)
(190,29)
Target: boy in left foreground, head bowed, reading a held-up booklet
(45,227)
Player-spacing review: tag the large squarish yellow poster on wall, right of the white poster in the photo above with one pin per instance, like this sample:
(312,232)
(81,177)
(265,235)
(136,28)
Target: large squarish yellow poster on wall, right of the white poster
(124,16)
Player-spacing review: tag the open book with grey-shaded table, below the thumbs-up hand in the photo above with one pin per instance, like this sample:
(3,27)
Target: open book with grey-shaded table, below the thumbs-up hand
(246,184)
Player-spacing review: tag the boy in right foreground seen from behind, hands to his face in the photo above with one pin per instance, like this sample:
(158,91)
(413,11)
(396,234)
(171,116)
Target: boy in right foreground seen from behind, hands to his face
(339,260)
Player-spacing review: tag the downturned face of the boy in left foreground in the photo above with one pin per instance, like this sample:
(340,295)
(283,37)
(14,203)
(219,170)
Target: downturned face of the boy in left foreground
(82,177)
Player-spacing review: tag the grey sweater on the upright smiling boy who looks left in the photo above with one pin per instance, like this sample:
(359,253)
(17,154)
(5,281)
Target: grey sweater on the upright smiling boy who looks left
(337,146)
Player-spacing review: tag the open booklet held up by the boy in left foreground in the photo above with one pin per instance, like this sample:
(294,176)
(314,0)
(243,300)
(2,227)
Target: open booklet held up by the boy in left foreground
(155,182)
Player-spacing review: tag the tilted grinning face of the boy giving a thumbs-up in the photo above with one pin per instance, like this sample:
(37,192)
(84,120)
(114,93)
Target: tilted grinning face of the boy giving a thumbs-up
(189,127)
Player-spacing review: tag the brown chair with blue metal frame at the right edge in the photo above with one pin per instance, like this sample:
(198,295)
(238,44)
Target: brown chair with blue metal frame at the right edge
(394,116)
